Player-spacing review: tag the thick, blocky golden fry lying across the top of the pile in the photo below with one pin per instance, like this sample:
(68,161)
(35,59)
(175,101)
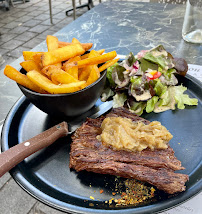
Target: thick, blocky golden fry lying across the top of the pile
(61,54)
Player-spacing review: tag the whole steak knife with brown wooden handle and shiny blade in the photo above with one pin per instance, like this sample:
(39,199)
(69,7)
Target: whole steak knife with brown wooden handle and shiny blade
(11,157)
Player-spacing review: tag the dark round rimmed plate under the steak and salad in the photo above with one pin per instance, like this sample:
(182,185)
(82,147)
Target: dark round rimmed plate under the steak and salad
(46,175)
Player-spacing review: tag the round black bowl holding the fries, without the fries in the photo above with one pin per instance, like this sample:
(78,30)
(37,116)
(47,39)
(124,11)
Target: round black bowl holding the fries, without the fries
(69,104)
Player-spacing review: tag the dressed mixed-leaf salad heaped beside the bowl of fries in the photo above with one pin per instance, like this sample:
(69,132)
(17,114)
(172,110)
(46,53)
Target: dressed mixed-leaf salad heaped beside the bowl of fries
(148,81)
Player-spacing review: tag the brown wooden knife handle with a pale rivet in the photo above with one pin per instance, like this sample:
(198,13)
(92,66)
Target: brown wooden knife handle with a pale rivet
(18,153)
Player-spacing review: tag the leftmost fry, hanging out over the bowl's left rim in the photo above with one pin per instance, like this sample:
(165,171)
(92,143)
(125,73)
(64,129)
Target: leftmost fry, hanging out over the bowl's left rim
(22,79)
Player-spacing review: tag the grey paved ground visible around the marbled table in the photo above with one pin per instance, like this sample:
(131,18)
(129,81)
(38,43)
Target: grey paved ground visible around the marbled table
(22,28)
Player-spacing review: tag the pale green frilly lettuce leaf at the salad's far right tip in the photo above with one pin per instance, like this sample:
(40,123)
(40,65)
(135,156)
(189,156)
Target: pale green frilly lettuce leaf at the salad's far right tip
(183,99)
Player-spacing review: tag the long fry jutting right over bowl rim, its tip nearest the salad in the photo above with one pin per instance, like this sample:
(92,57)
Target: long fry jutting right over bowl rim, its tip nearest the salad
(96,60)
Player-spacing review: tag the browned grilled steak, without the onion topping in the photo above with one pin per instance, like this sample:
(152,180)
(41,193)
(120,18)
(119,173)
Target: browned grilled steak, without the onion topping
(155,167)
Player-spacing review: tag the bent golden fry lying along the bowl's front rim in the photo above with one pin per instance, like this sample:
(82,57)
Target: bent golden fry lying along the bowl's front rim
(52,88)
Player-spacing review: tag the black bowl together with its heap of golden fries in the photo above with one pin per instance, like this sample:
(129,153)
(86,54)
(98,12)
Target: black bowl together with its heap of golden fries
(67,80)
